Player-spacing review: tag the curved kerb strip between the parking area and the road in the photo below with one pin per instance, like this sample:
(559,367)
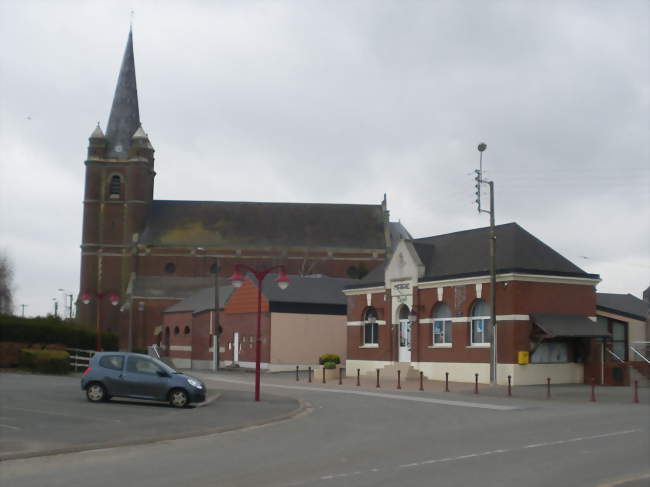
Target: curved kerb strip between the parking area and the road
(302,408)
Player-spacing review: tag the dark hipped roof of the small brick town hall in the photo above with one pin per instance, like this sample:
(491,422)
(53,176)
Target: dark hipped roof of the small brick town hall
(467,253)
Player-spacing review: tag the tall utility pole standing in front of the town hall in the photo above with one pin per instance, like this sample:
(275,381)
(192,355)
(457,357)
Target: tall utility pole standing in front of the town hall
(493,252)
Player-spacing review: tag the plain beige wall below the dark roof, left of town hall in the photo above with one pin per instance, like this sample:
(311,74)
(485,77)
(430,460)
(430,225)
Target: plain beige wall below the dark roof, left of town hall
(299,339)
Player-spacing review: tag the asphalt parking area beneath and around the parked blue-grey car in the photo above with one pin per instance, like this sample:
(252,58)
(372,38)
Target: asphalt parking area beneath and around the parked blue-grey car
(44,414)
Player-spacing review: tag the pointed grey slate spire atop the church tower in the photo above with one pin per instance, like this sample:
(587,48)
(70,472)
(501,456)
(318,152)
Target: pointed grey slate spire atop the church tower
(125,115)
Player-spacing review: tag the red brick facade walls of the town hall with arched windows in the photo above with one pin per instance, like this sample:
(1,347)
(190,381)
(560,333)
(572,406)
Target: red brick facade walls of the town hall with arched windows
(516,298)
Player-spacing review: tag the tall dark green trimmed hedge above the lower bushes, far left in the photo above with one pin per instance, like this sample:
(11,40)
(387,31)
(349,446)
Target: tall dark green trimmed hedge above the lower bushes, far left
(51,330)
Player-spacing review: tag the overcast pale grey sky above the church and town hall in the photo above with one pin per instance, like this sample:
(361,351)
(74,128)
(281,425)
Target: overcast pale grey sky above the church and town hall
(338,102)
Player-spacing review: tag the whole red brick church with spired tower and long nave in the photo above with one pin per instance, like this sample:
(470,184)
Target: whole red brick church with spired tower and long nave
(140,255)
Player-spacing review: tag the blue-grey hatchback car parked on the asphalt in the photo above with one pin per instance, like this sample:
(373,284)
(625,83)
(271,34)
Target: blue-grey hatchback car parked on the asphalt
(138,376)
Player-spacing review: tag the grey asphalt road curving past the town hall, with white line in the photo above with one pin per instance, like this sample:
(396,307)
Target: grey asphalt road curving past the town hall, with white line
(370,439)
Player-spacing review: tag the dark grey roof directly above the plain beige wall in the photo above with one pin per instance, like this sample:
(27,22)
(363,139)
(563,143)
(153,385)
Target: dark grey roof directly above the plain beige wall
(307,289)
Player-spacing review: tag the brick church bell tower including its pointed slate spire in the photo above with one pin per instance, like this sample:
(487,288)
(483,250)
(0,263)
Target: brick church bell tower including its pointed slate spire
(118,191)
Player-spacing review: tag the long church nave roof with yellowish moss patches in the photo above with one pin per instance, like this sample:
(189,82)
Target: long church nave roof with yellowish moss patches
(251,225)
